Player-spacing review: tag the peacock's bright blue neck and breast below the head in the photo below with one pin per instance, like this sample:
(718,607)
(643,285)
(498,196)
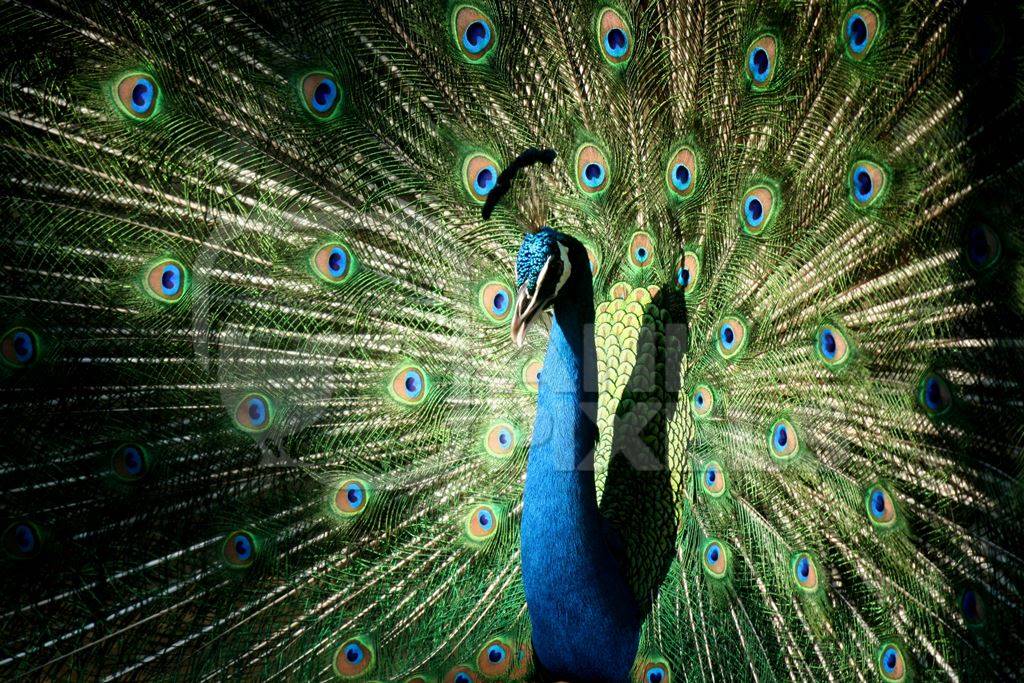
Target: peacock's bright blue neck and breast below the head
(584,617)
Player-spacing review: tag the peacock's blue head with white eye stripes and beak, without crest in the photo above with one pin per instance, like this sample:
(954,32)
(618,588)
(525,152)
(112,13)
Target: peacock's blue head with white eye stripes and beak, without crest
(543,268)
